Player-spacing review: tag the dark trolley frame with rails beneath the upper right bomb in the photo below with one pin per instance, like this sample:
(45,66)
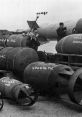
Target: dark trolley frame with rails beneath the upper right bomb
(73,60)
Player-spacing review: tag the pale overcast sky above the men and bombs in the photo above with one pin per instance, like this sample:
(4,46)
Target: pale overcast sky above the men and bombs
(15,13)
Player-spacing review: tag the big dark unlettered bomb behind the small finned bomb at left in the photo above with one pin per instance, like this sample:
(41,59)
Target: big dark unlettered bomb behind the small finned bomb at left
(17,59)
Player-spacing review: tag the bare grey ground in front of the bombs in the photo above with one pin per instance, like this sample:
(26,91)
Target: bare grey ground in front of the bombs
(44,107)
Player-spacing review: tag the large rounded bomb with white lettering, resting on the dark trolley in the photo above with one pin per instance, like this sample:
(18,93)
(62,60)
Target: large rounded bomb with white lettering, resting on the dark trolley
(71,44)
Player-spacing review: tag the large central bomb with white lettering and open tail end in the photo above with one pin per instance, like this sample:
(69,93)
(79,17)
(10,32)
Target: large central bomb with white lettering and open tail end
(46,77)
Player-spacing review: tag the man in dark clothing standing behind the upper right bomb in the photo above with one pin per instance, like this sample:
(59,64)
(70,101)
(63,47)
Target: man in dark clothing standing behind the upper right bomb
(61,31)
